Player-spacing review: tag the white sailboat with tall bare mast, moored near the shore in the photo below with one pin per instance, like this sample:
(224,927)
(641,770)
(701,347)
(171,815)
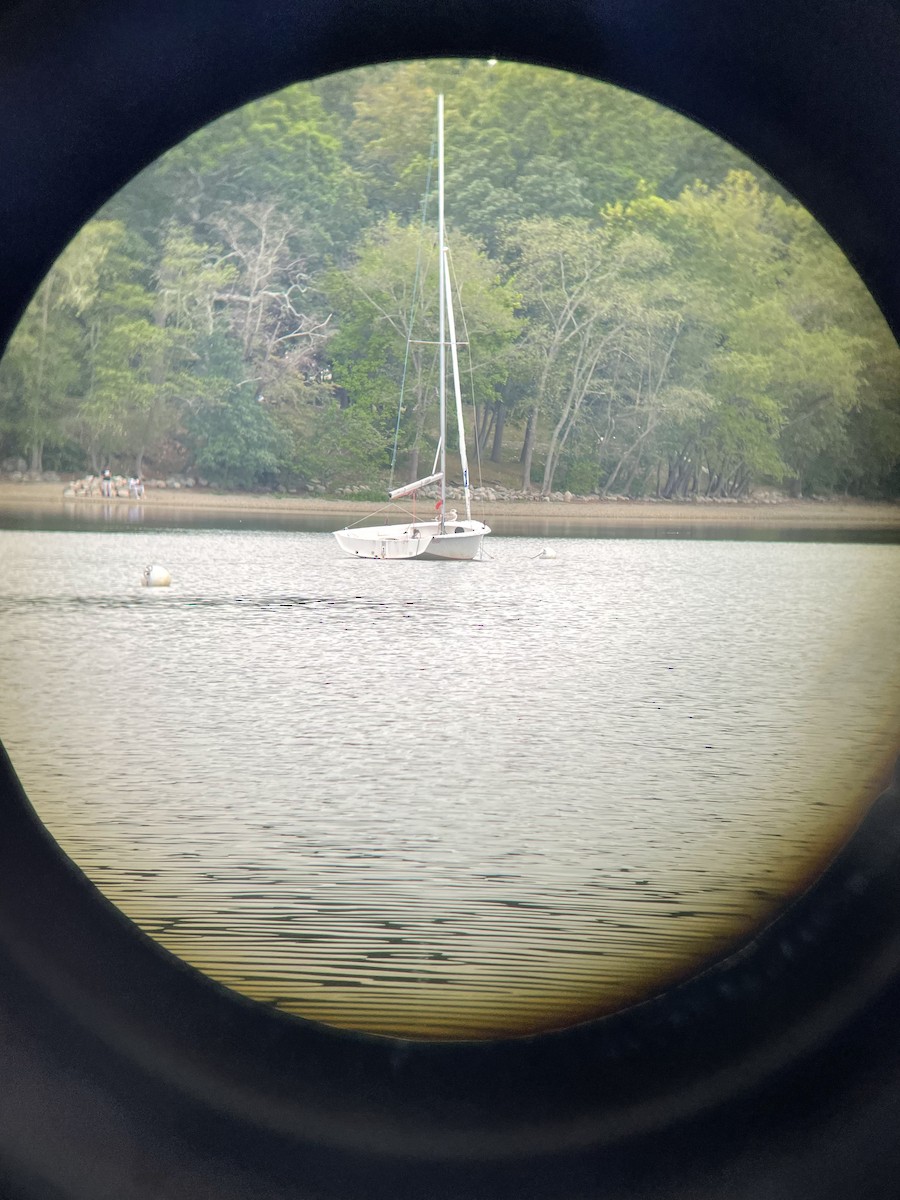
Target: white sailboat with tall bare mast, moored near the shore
(446,536)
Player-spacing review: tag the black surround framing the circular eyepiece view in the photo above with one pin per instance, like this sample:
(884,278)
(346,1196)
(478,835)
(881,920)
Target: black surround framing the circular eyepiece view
(127,1075)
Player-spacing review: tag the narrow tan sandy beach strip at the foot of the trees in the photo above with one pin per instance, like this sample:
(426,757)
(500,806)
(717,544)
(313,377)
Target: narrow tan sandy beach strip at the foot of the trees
(796,514)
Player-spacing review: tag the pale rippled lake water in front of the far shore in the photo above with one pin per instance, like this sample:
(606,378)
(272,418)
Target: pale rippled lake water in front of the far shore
(448,800)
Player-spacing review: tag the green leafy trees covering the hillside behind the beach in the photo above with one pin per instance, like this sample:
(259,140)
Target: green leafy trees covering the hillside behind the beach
(645,311)
